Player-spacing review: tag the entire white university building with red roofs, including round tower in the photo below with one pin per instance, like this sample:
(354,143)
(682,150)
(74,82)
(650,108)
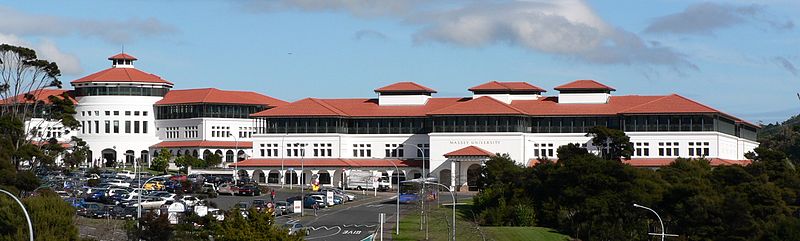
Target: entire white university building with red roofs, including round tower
(127,114)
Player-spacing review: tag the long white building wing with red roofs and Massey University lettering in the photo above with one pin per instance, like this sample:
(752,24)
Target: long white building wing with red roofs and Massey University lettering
(455,135)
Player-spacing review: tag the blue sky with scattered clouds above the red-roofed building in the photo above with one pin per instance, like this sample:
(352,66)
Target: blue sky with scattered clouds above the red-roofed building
(741,57)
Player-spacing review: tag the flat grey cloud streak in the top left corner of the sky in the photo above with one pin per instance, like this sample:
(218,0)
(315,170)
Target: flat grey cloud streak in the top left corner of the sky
(113,31)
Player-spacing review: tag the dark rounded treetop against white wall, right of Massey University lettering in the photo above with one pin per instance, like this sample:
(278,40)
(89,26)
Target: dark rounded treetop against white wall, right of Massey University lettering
(613,144)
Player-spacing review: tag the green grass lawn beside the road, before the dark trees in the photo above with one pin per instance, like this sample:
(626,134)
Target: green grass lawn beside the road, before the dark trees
(439,228)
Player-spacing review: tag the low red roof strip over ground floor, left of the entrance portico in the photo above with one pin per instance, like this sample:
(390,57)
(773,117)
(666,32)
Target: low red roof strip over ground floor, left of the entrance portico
(327,162)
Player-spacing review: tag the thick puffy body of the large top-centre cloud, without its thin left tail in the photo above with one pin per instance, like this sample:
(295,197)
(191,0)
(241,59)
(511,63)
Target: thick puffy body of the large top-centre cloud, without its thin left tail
(566,29)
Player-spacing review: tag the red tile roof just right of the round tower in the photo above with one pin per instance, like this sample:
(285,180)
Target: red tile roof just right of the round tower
(213,95)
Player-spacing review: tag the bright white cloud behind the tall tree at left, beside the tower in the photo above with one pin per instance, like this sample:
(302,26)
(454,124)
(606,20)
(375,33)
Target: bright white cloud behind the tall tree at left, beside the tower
(46,49)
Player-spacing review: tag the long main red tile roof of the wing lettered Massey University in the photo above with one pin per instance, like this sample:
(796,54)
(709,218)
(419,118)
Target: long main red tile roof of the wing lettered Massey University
(548,106)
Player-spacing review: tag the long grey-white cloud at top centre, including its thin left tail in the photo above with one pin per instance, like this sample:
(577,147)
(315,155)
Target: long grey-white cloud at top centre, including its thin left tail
(568,28)
